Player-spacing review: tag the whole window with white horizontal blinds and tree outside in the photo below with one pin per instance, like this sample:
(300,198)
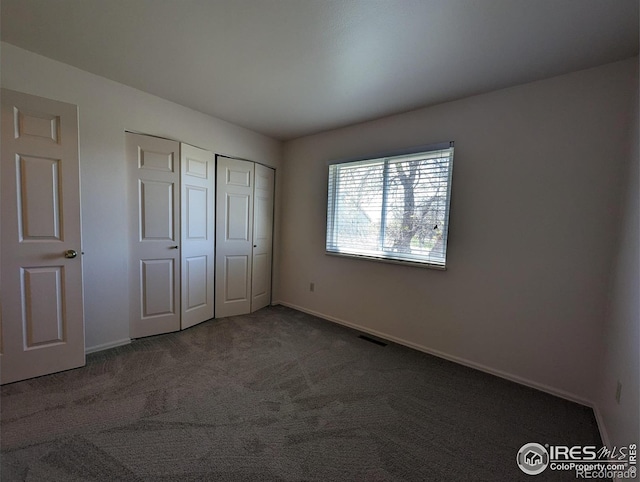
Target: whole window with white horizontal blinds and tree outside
(392,208)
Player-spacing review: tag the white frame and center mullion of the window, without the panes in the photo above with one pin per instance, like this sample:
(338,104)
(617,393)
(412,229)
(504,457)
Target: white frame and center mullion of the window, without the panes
(332,246)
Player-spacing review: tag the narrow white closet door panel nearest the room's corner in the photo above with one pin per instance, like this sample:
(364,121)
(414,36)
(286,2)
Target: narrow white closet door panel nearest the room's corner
(262,237)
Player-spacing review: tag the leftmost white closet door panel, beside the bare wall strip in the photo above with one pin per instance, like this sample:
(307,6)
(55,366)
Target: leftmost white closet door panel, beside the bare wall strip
(154,167)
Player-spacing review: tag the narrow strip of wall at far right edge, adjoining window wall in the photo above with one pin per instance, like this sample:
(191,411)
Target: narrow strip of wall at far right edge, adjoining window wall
(621,336)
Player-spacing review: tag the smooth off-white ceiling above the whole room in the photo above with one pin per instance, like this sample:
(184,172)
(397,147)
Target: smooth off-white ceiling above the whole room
(288,68)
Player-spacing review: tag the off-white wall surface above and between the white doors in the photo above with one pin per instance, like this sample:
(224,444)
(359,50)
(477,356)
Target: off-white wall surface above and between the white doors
(106,110)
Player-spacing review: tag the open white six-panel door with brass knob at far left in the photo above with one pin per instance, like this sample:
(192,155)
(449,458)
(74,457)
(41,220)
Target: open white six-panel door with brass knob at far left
(42,310)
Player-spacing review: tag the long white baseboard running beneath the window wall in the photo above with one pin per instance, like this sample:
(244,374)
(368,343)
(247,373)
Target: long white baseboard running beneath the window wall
(461,361)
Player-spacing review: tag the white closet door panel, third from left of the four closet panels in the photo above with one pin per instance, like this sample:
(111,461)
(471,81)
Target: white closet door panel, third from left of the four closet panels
(234,236)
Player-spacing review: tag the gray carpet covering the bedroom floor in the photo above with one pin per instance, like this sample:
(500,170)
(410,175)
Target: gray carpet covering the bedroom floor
(277,396)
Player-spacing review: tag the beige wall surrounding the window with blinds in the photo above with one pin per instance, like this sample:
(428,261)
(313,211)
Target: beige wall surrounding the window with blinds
(536,181)
